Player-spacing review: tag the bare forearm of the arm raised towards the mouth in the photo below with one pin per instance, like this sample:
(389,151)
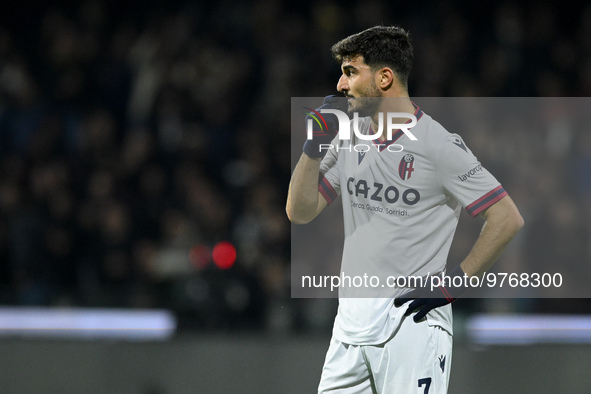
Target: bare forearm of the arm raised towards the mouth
(304,201)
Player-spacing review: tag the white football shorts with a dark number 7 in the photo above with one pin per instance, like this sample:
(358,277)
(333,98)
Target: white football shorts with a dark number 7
(417,359)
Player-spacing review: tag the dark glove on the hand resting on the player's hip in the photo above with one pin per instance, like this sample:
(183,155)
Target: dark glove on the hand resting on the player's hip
(424,299)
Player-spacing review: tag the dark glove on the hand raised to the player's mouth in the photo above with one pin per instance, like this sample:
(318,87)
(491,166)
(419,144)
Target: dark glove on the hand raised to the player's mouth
(324,126)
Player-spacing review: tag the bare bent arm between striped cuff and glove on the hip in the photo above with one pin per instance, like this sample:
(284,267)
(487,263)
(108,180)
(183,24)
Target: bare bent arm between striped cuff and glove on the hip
(503,221)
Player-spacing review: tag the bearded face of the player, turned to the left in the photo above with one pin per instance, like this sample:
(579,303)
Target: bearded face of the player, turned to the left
(359,85)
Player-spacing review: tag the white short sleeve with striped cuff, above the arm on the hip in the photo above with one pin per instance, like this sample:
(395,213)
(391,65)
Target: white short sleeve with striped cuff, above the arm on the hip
(463,176)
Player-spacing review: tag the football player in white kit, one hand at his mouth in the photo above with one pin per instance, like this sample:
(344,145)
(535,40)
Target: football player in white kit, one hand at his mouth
(401,208)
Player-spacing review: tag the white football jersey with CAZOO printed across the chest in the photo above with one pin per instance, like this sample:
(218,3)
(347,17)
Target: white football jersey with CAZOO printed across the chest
(401,209)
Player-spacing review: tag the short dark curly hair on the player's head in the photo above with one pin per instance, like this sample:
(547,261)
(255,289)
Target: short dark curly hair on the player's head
(380,46)
